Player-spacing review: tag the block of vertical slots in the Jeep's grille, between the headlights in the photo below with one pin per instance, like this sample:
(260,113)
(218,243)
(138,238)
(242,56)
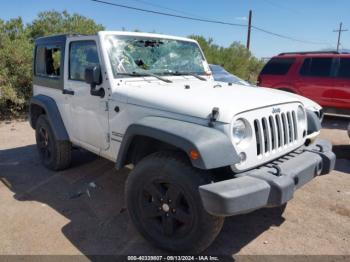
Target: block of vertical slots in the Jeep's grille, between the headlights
(275,131)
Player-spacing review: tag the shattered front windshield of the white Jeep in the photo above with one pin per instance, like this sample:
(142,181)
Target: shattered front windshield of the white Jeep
(134,54)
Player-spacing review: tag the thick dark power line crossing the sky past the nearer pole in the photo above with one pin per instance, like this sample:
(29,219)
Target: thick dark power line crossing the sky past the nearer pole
(206,21)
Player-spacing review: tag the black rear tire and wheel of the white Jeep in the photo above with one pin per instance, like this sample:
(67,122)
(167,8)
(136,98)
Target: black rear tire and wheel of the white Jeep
(55,155)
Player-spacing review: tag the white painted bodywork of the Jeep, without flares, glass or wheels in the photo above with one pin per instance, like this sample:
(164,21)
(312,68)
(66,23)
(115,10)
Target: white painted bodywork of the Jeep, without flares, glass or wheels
(92,123)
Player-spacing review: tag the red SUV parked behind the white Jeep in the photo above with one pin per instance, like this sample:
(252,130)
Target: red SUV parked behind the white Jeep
(321,76)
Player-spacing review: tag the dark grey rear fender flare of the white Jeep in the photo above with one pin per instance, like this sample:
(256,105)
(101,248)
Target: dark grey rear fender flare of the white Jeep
(53,115)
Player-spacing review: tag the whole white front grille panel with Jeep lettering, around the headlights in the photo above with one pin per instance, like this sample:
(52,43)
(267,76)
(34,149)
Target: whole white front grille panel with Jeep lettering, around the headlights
(275,131)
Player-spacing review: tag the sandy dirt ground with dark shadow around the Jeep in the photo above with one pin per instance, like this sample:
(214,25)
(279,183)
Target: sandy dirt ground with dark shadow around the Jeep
(82,211)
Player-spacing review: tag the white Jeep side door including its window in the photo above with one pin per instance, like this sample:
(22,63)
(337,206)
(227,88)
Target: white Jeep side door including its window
(89,113)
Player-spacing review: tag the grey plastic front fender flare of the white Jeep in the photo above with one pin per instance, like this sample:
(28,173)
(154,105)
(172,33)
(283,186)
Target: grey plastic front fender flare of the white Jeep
(214,147)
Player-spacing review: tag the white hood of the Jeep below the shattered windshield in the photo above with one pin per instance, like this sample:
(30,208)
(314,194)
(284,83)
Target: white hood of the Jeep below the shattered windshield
(197,98)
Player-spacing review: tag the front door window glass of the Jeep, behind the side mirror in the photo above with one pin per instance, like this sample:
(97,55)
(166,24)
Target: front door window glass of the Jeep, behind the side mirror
(82,54)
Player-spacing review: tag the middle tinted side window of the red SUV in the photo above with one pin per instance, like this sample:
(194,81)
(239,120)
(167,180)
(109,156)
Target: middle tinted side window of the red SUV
(319,66)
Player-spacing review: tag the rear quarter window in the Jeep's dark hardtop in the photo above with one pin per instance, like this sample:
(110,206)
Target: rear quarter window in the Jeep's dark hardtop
(48,61)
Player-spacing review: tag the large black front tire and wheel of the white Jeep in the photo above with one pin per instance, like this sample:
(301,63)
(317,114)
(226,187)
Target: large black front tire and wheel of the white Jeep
(164,174)
